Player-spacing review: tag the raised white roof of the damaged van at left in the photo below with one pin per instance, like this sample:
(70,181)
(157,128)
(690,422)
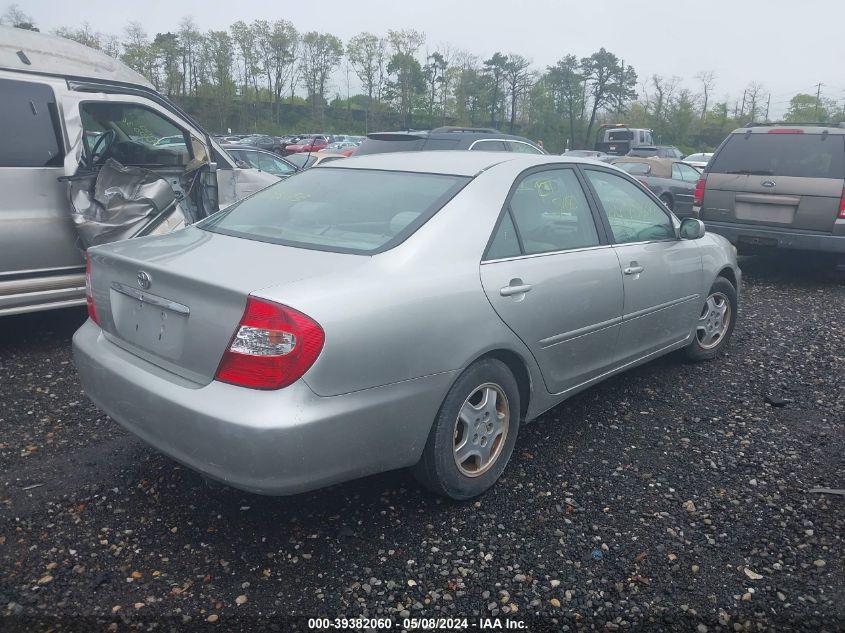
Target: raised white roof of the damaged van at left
(33,52)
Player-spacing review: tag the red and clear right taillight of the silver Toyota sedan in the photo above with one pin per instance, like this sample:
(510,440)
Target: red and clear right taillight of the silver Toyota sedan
(272,348)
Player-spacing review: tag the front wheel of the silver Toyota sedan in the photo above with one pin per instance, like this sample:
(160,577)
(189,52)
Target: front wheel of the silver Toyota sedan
(716,323)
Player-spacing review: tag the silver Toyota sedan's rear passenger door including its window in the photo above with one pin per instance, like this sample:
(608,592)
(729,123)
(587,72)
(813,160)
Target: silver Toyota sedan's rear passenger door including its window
(552,278)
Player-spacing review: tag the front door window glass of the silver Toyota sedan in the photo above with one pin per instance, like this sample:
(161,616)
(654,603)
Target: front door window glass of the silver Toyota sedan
(633,216)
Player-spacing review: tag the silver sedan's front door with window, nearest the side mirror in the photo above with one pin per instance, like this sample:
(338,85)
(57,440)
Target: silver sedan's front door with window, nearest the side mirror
(661,273)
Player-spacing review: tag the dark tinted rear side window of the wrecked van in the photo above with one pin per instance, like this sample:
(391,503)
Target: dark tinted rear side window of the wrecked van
(30,124)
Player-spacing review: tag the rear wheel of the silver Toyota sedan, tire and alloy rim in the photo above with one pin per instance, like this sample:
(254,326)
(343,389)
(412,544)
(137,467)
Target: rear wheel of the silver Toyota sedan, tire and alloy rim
(441,468)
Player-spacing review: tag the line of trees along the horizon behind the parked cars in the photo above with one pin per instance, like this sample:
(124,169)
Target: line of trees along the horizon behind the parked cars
(267,76)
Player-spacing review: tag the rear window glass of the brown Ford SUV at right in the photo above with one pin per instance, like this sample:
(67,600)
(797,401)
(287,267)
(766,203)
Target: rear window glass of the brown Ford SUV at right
(802,155)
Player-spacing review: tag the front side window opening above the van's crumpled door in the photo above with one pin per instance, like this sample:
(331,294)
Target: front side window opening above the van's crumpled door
(140,136)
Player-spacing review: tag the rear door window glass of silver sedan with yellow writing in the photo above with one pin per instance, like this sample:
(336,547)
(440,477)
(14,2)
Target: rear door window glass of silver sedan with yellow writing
(551,212)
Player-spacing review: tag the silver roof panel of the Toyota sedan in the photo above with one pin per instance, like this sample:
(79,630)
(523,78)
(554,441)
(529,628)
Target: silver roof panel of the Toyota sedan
(455,163)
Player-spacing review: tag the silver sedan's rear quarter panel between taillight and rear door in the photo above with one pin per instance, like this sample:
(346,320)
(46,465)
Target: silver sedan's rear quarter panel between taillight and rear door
(416,310)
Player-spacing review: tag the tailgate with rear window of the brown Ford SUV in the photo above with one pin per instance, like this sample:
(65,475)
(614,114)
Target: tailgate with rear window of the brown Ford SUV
(779,178)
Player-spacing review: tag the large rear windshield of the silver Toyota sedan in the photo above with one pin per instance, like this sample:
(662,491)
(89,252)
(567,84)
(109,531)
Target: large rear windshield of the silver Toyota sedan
(340,210)
